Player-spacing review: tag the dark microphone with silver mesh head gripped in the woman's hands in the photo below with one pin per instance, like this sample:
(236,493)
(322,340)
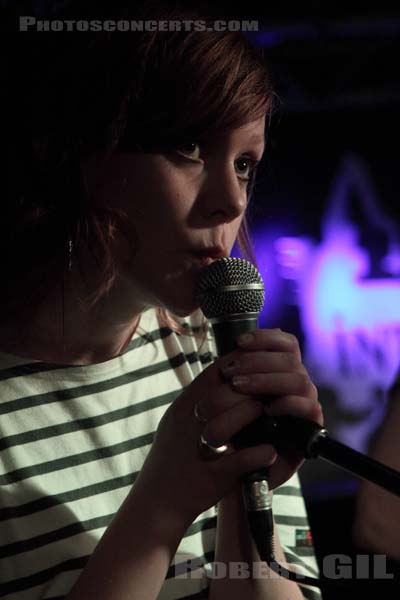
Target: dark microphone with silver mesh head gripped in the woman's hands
(231,295)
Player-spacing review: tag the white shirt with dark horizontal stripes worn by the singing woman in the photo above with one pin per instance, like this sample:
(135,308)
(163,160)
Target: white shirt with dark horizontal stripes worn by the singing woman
(72,441)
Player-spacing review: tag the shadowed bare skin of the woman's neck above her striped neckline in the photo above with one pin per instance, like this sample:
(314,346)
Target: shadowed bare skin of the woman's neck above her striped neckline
(63,331)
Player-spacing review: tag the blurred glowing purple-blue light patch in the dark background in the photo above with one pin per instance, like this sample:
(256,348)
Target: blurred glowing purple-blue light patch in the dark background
(349,321)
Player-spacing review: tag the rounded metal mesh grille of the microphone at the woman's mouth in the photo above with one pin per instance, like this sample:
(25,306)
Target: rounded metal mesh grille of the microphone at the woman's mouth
(230,286)
